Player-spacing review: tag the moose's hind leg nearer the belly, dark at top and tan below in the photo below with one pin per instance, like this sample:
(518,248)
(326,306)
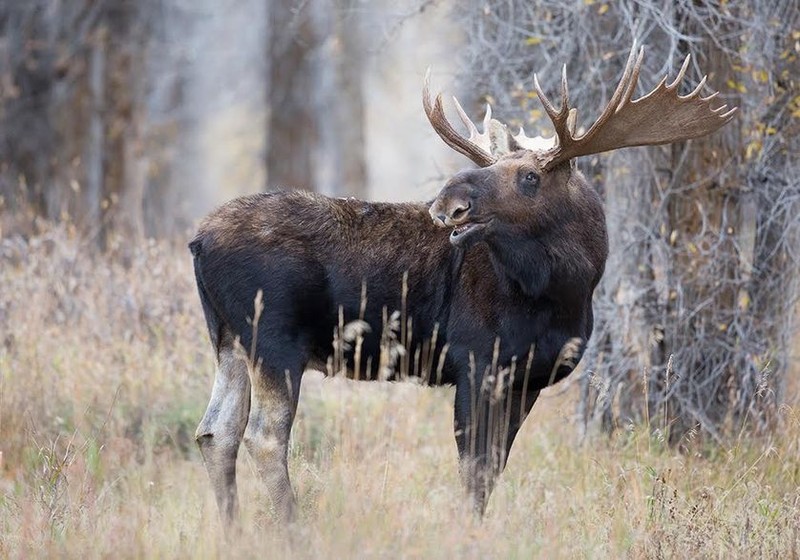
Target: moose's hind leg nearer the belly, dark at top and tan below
(273,403)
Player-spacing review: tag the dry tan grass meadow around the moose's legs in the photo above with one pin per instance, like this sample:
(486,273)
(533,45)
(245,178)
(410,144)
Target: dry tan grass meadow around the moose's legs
(105,370)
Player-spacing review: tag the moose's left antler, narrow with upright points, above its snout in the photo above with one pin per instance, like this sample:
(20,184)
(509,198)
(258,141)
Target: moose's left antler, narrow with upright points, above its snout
(478,147)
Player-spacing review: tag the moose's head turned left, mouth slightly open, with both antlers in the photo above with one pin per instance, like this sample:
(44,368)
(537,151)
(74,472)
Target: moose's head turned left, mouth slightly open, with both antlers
(520,176)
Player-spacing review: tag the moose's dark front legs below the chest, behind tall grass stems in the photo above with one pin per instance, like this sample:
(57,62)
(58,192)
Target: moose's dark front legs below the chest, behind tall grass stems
(486,423)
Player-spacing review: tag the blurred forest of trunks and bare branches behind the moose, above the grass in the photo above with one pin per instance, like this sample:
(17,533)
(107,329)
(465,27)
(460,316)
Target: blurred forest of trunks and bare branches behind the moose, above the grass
(129,119)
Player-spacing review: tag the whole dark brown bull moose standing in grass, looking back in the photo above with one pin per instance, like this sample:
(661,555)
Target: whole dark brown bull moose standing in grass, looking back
(495,276)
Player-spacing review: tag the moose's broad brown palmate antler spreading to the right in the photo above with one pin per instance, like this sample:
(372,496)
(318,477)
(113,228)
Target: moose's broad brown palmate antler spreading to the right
(660,117)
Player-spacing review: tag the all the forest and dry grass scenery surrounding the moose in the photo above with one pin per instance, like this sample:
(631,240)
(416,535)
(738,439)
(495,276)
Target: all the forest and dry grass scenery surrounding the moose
(122,122)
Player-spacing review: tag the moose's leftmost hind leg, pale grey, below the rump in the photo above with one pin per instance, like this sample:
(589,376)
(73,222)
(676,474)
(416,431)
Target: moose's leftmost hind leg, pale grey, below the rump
(222,427)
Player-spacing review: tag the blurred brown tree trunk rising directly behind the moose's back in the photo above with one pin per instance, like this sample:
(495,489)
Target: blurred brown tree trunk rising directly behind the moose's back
(316,103)
